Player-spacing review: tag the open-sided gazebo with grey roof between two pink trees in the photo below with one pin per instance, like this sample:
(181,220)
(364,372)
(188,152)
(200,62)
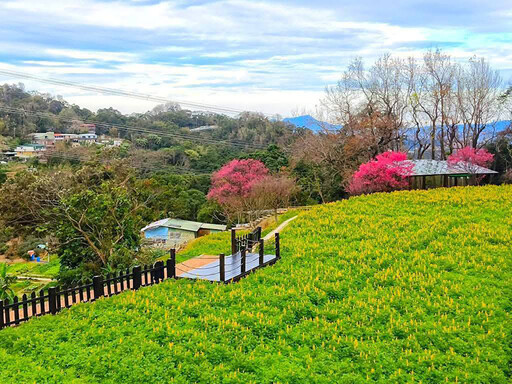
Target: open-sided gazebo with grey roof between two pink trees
(438,173)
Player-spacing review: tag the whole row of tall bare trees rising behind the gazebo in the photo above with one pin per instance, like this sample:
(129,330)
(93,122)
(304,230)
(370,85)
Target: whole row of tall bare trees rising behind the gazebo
(397,101)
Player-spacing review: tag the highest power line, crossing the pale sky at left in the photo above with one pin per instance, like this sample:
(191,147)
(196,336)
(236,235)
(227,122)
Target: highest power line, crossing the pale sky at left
(117,92)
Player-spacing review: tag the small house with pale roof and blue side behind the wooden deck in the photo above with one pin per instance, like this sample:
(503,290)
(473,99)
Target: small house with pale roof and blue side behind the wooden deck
(176,232)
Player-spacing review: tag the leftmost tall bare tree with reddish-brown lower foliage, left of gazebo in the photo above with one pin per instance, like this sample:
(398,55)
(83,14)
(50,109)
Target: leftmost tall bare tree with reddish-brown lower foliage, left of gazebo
(373,103)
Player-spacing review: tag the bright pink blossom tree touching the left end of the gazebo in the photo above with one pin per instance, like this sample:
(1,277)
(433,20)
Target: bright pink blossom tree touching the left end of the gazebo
(386,172)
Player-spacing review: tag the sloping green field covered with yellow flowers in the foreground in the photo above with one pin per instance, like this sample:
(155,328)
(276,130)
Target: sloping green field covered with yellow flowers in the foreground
(402,287)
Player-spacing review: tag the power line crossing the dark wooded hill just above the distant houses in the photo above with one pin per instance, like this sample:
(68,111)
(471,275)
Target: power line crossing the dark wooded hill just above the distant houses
(142,130)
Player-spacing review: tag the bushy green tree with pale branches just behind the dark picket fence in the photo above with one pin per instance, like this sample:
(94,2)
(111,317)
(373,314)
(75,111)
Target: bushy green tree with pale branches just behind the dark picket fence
(97,229)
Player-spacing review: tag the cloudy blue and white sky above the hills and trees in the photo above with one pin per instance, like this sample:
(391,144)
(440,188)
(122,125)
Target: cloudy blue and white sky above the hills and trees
(267,56)
